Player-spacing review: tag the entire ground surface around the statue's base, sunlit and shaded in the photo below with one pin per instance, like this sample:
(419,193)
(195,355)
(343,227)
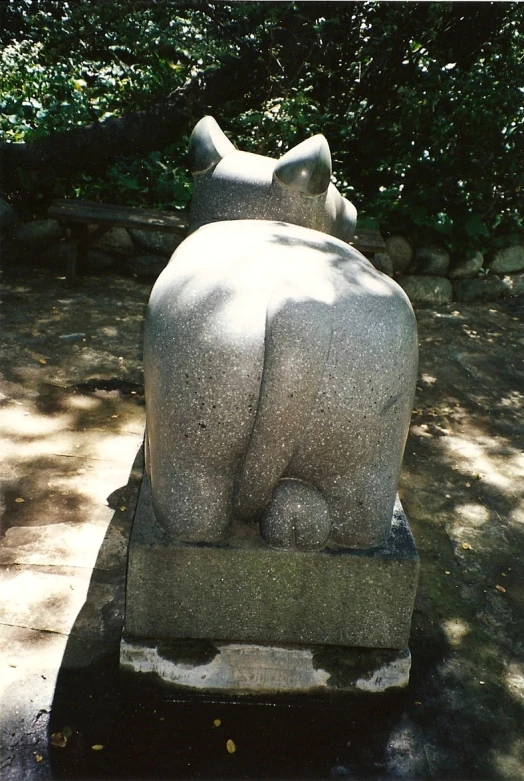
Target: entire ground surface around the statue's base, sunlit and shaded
(71,389)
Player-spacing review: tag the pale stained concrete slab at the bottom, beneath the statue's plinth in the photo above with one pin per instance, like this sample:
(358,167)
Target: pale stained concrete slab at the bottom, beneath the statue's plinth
(240,668)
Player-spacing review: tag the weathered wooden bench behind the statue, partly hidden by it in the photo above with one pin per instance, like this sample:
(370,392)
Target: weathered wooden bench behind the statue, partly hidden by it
(76,216)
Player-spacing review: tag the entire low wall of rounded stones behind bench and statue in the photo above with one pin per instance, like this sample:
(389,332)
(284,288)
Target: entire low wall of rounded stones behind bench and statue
(427,273)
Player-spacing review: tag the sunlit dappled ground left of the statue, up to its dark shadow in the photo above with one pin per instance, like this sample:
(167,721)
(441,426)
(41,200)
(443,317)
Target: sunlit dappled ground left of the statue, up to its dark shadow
(65,436)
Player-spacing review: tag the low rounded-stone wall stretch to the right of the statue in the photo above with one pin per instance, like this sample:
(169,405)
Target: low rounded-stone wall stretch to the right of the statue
(430,276)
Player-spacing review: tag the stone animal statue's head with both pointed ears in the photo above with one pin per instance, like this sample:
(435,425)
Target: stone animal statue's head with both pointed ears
(233,185)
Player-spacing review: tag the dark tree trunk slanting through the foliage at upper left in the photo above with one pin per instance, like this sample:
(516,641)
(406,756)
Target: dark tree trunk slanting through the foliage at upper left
(26,168)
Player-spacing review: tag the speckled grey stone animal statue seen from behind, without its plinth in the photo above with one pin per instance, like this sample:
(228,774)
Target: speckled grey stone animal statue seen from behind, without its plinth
(280,366)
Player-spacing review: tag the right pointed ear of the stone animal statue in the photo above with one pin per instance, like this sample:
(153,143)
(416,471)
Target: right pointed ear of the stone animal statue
(307,167)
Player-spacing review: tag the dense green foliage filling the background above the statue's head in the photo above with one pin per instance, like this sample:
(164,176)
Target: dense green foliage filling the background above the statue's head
(422,103)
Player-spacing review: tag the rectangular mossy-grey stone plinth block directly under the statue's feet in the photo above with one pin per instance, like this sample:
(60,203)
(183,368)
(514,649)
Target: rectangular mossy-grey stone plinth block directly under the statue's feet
(243,591)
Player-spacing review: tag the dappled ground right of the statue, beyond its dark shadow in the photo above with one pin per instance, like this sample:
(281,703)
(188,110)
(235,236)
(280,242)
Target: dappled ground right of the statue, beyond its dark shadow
(463,490)
